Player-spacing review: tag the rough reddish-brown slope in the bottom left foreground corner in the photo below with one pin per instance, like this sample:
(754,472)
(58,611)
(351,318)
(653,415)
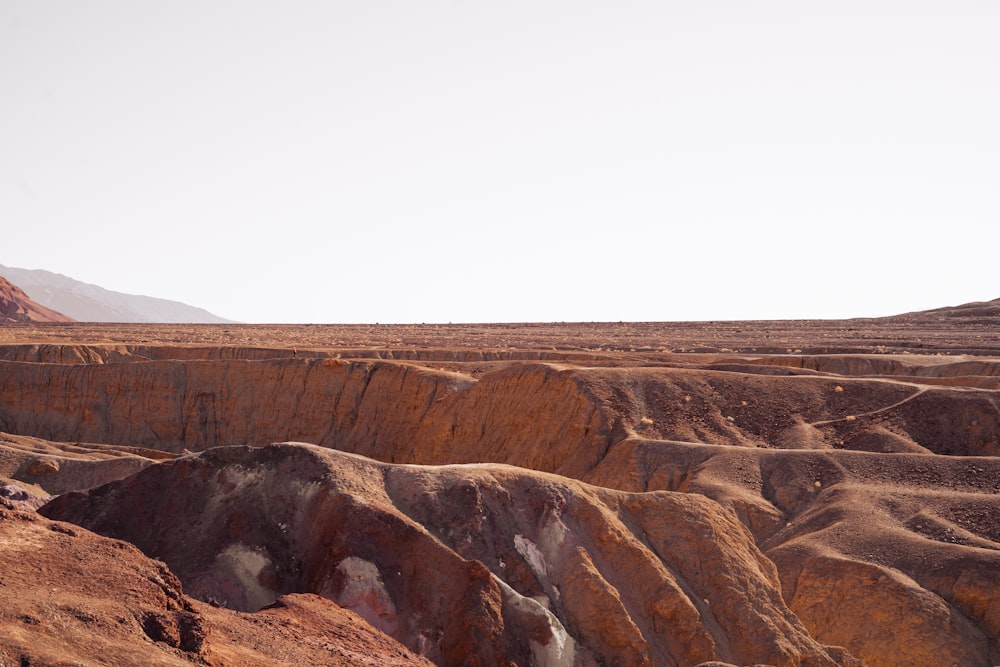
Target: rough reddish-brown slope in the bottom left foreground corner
(70,597)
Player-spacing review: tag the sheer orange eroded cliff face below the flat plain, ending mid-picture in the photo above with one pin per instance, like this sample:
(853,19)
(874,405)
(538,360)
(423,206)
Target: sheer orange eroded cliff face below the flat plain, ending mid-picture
(533,414)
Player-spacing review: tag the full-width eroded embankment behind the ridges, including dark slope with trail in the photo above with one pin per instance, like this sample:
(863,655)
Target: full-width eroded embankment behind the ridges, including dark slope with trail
(548,417)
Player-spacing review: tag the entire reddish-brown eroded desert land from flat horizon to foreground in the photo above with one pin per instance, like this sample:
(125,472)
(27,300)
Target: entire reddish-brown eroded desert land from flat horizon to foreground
(812,493)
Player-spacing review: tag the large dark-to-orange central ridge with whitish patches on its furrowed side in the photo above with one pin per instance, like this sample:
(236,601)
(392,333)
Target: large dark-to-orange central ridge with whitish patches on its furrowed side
(464,564)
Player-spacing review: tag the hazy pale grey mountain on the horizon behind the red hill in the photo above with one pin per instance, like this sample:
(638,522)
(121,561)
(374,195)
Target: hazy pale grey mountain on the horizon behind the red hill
(89,303)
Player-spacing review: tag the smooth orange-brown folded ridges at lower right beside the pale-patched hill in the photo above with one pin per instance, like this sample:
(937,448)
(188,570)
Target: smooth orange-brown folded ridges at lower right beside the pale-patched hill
(894,559)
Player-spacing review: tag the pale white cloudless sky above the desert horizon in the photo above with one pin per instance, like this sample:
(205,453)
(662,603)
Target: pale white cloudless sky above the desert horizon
(472,161)
